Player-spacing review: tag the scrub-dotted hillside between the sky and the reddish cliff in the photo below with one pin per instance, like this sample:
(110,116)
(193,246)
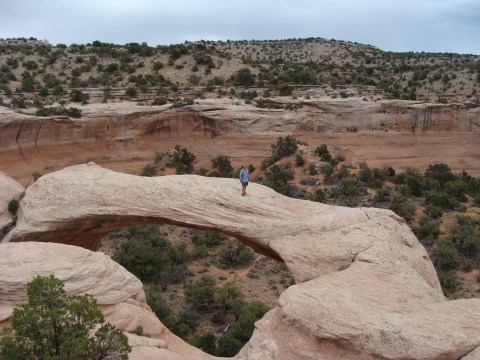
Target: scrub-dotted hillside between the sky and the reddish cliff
(45,73)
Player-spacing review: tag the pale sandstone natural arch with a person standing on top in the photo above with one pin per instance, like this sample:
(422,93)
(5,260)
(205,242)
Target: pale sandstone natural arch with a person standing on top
(365,287)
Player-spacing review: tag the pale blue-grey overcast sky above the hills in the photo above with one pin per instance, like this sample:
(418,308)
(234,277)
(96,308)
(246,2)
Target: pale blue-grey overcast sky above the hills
(391,25)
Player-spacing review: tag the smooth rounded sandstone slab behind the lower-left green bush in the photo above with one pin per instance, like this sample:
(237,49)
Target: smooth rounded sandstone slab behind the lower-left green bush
(119,294)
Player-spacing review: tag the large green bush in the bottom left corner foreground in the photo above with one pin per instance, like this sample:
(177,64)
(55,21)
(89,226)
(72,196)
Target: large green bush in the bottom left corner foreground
(55,325)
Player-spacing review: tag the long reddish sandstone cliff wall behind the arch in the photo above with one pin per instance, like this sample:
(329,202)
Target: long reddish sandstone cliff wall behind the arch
(125,132)
